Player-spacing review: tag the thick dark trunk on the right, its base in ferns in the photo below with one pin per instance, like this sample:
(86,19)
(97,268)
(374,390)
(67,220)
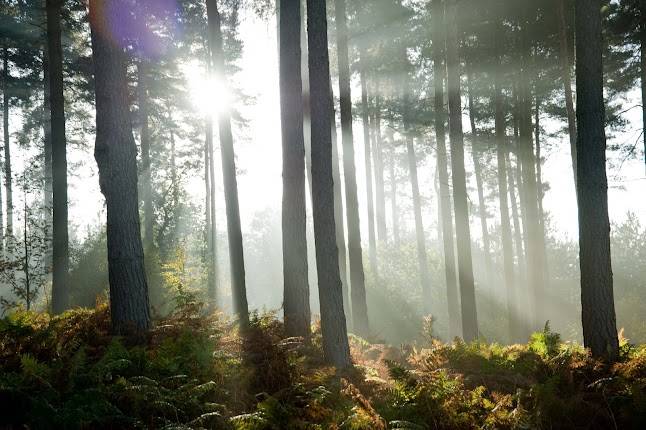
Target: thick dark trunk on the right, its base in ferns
(597,298)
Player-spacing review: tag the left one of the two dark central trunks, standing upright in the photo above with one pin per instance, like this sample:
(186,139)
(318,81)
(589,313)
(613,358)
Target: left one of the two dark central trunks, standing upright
(296,298)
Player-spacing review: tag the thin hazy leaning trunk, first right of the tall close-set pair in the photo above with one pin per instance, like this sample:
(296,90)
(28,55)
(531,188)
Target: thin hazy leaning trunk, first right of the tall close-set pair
(477,166)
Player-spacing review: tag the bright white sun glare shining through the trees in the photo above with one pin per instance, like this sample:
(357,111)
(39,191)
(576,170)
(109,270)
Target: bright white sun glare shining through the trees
(209,96)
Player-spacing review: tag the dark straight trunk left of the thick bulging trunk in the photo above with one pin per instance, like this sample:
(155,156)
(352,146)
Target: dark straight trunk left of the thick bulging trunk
(60,240)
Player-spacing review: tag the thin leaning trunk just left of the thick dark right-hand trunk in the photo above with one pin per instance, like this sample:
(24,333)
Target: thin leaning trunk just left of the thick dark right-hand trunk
(564,57)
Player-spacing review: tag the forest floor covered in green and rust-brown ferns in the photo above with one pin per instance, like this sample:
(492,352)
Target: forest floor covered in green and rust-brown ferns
(197,372)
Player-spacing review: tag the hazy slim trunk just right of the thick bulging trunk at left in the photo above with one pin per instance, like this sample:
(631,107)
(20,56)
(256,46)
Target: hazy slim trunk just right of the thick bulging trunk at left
(146,185)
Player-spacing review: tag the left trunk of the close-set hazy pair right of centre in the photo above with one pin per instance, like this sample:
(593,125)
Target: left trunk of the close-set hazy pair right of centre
(444,198)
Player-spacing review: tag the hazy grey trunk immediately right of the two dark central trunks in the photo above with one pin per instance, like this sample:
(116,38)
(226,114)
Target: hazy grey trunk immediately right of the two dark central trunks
(358,290)
